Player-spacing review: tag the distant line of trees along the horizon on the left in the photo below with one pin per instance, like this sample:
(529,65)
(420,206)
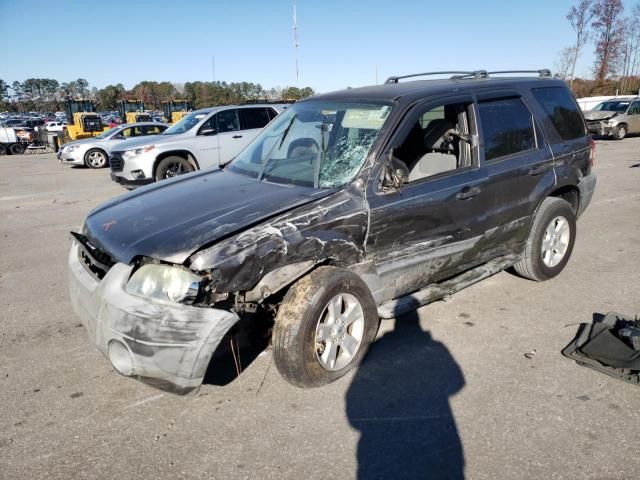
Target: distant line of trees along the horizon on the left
(44,94)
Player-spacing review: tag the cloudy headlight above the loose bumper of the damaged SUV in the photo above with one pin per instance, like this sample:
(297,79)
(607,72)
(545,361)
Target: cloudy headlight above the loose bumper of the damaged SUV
(165,283)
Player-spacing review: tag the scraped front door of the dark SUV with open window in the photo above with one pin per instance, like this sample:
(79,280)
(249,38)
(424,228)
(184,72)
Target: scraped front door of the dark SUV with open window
(427,229)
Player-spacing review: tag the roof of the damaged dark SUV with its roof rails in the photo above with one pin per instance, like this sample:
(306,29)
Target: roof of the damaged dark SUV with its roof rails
(420,88)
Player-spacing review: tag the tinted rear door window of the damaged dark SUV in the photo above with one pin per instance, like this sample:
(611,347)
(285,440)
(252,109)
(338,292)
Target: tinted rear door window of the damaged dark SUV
(507,127)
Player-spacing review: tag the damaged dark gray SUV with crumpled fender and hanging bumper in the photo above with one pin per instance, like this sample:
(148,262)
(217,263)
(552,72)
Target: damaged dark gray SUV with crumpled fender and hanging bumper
(349,207)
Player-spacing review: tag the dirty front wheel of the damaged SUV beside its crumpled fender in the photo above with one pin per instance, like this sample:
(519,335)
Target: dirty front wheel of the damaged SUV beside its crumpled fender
(324,327)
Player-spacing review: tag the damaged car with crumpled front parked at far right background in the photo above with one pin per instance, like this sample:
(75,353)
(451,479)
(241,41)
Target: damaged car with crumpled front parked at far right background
(615,118)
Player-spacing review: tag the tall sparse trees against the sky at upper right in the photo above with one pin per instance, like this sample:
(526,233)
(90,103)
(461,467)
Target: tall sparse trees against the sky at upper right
(616,42)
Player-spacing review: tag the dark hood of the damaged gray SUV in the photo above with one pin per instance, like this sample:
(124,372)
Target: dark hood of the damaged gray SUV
(174,218)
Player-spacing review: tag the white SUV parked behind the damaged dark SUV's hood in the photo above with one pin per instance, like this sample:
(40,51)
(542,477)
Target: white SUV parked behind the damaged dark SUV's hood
(204,138)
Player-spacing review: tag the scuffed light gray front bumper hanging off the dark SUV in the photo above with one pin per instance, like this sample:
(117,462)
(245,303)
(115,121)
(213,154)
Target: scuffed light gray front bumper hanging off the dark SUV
(167,346)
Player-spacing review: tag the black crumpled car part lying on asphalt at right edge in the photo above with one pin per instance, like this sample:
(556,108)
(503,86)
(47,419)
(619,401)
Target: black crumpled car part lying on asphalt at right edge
(607,345)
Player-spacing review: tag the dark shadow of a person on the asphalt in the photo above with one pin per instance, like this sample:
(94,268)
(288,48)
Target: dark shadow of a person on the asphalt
(399,402)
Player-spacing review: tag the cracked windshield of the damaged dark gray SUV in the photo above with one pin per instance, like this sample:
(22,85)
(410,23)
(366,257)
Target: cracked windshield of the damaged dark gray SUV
(315,144)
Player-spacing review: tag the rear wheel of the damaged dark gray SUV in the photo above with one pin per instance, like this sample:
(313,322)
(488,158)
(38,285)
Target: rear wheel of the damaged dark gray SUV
(550,241)
